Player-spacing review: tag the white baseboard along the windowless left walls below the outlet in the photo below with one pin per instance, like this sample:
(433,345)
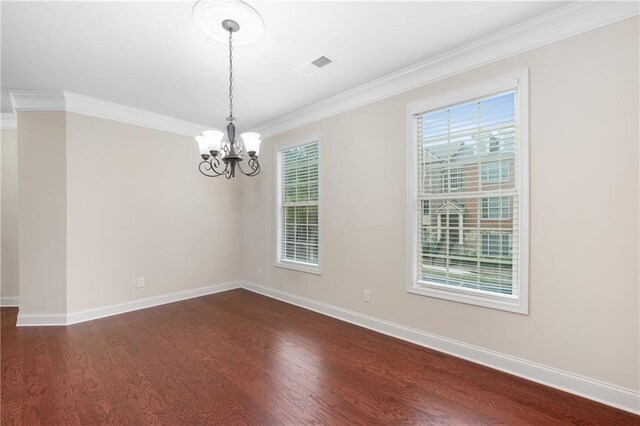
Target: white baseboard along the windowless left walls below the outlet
(25,320)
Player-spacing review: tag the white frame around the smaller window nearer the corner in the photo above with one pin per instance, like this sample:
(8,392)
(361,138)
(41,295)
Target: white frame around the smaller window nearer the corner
(278,260)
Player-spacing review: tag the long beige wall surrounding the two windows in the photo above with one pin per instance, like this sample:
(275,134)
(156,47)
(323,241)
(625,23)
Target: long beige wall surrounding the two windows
(584,296)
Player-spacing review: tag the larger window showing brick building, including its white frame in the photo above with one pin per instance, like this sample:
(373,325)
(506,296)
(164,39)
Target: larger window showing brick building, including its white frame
(471,145)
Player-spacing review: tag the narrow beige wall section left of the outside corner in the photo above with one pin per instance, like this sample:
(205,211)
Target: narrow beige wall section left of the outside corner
(42,209)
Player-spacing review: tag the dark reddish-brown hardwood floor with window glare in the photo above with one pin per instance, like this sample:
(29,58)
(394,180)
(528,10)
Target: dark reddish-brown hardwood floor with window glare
(241,358)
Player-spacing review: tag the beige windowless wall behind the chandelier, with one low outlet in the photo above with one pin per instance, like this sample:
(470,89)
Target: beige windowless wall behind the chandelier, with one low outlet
(138,207)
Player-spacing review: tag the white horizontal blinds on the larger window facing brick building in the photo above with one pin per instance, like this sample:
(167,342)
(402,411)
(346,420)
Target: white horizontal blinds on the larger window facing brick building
(467,160)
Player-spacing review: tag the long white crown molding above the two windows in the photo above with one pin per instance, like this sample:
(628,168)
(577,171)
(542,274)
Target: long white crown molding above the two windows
(564,22)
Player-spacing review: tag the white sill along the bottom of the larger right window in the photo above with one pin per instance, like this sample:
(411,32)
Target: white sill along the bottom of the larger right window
(471,297)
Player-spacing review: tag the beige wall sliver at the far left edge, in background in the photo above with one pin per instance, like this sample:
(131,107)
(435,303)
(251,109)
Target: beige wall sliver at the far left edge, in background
(10,273)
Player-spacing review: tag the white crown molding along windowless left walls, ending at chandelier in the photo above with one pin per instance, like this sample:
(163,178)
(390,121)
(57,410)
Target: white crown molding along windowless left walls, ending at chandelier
(35,100)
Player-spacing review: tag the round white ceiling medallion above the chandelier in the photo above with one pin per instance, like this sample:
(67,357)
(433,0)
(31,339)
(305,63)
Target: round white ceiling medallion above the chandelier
(209,15)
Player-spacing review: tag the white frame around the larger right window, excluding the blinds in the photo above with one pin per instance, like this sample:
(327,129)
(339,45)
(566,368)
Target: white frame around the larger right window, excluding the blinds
(517,303)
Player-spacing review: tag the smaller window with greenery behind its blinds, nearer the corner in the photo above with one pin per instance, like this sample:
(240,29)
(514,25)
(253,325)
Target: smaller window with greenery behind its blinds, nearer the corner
(298,207)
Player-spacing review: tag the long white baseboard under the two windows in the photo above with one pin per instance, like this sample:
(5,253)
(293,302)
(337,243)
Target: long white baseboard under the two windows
(615,396)
